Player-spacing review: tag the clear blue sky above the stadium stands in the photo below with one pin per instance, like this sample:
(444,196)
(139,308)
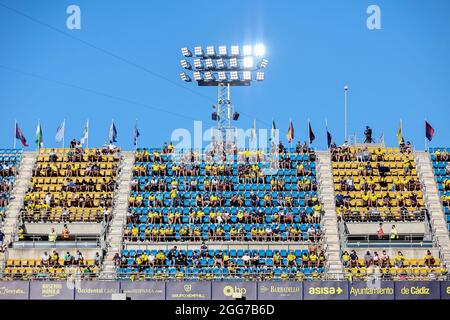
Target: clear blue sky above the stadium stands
(49,73)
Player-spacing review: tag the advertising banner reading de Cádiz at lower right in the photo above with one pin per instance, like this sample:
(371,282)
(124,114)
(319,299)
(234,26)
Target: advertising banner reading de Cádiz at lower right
(417,290)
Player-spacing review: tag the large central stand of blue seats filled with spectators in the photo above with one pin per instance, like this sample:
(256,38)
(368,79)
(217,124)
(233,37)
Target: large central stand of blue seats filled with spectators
(198,200)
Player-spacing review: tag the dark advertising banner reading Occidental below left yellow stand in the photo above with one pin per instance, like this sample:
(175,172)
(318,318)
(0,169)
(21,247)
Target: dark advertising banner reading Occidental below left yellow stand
(96,290)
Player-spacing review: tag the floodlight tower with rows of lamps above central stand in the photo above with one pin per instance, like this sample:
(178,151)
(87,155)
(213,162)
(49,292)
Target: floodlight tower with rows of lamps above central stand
(224,68)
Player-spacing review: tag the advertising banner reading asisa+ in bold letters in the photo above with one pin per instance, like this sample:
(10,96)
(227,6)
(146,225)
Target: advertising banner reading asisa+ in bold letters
(325,290)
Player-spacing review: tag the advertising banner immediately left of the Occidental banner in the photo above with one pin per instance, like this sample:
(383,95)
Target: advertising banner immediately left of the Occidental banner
(51,290)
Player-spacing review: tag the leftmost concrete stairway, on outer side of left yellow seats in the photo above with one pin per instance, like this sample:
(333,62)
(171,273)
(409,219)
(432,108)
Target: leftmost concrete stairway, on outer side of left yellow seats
(18,193)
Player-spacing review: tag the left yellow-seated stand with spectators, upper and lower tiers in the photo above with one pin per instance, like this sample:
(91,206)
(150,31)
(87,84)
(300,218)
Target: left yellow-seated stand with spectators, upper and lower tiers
(66,209)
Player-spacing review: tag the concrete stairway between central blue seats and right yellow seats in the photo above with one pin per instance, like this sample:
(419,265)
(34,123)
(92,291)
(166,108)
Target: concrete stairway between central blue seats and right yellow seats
(330,223)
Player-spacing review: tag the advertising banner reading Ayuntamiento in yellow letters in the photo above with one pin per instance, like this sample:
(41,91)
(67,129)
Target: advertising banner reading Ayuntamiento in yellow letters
(371,290)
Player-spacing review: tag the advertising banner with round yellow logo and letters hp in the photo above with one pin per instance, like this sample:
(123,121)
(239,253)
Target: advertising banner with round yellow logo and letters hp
(230,290)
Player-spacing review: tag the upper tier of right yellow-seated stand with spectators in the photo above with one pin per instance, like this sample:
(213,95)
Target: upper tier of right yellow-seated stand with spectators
(376,184)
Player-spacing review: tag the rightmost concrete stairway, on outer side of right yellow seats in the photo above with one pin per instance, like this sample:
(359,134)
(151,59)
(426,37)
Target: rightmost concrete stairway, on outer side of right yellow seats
(433,203)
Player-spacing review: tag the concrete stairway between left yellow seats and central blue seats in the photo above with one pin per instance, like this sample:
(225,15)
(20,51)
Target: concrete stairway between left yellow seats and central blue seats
(115,235)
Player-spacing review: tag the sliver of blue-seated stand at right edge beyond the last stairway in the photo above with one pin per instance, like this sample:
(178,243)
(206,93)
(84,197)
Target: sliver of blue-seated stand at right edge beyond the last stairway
(440,158)
